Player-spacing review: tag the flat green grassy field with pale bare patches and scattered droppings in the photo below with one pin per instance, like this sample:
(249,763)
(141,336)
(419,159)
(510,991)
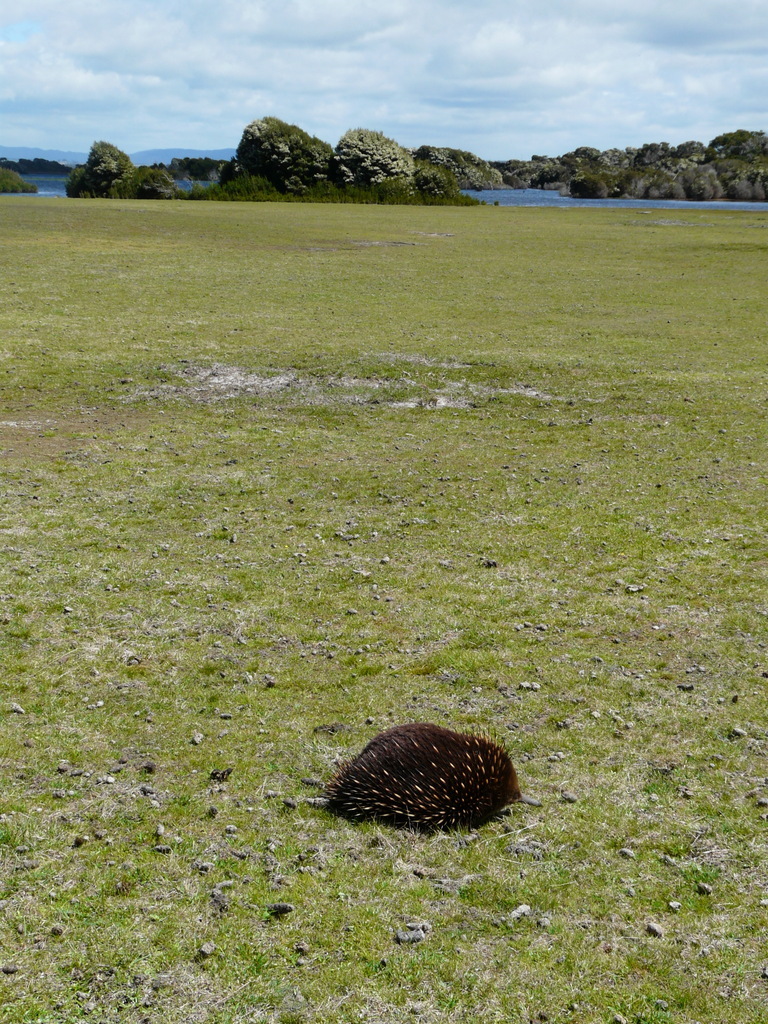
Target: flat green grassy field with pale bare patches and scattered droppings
(276,478)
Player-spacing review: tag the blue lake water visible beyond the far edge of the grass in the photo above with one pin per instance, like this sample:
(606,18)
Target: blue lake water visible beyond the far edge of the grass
(50,186)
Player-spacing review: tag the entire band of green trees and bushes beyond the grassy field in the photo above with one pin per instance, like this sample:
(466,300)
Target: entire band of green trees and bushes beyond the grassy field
(280,161)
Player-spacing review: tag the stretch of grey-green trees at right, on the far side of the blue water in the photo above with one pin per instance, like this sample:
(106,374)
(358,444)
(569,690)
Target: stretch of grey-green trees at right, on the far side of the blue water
(733,166)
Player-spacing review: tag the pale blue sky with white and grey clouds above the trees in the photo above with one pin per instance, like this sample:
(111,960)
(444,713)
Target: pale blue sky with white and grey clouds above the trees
(501,78)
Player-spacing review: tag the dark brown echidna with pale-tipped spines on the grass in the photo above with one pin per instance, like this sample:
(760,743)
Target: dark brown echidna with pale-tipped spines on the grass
(425,778)
